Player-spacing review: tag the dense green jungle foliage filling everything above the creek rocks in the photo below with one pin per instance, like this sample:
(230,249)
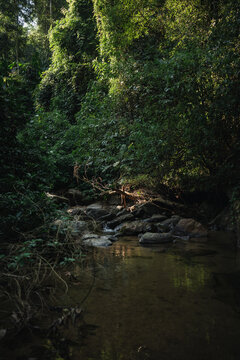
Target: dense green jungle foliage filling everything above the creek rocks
(143,91)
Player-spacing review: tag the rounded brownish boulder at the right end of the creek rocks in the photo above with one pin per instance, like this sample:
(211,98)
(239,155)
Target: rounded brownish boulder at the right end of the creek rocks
(190,227)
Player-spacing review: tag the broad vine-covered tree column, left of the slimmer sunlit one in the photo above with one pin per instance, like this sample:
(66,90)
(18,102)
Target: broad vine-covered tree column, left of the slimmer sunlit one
(73,44)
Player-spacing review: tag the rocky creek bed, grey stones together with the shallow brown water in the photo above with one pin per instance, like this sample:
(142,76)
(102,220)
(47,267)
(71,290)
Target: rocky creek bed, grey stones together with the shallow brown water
(155,285)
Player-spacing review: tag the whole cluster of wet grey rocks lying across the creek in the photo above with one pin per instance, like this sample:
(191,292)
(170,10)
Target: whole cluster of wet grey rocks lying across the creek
(149,221)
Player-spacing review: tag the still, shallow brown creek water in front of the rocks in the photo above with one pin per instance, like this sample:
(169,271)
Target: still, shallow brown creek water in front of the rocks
(148,305)
